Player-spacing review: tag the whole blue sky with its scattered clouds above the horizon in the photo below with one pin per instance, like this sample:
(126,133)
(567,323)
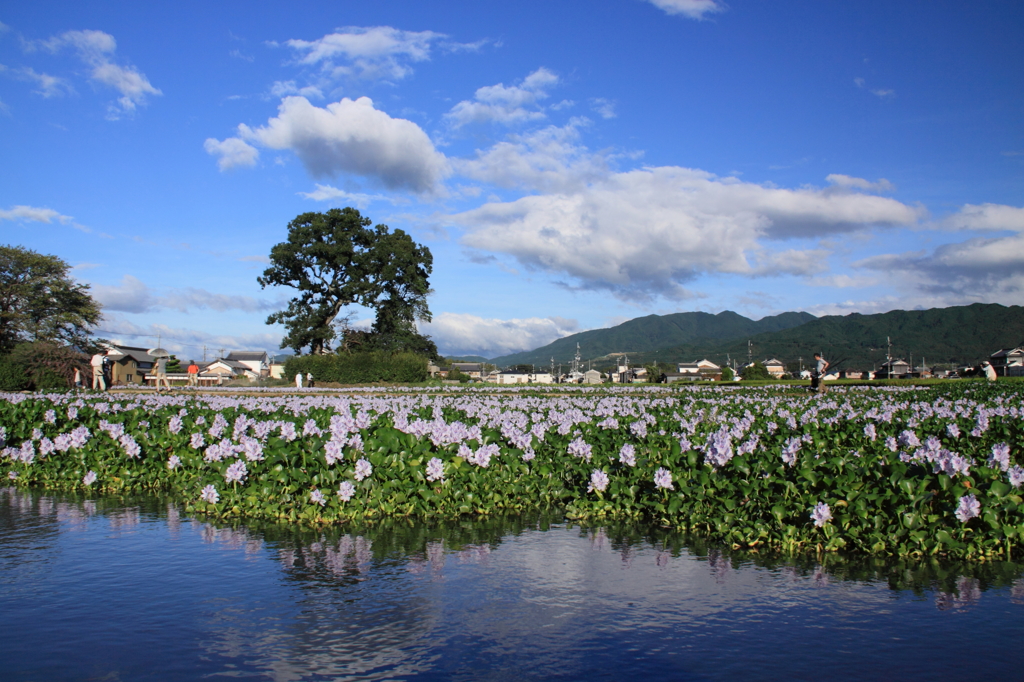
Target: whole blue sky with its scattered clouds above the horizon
(571,165)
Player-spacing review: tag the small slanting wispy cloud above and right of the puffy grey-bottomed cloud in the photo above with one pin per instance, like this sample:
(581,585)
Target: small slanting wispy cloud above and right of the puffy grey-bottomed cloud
(506,105)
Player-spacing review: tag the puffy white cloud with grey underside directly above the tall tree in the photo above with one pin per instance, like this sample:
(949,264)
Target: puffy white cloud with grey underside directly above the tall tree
(353,137)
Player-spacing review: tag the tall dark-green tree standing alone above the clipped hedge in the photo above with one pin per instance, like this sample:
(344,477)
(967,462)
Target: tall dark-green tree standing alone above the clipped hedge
(336,260)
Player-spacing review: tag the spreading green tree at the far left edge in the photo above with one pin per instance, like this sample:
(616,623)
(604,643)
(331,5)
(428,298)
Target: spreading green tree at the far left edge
(39,302)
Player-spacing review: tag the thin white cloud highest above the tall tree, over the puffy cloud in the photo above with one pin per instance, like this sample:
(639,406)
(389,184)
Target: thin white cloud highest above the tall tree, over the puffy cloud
(375,53)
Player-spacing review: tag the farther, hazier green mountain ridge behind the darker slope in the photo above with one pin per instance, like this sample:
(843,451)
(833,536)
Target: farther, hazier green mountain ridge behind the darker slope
(656,332)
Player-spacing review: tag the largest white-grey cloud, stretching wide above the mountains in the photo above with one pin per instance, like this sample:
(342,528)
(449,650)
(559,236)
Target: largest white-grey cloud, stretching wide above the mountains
(649,232)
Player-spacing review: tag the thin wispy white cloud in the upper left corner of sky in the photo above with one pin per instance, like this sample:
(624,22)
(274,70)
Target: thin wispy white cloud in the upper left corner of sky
(97,49)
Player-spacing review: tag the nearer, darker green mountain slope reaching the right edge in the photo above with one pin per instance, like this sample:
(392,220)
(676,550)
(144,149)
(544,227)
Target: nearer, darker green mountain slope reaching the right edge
(962,335)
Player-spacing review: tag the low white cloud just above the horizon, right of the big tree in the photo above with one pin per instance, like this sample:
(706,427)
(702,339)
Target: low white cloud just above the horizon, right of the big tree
(463,334)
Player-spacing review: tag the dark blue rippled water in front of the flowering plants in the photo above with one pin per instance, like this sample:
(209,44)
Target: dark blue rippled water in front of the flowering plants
(130,589)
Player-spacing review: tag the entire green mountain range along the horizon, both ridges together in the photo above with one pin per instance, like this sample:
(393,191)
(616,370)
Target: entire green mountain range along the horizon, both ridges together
(962,335)
